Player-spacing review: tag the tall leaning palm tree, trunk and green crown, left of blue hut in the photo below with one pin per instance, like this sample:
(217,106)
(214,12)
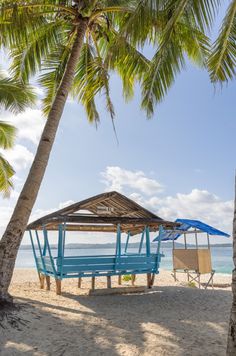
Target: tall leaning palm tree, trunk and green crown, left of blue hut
(74,45)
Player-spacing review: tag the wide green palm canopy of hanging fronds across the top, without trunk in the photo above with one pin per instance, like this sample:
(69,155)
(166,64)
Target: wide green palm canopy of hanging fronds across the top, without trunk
(40,35)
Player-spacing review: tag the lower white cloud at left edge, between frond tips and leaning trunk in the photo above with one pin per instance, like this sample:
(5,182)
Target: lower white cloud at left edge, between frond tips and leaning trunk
(19,157)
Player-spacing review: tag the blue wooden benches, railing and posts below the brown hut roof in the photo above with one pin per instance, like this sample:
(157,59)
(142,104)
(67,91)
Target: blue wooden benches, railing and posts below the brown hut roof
(125,263)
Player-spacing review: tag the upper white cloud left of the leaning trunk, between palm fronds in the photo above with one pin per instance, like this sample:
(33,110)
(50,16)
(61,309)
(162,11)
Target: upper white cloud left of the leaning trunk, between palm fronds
(30,124)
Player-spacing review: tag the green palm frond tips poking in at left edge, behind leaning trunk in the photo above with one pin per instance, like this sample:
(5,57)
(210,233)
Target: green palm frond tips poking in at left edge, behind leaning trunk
(14,96)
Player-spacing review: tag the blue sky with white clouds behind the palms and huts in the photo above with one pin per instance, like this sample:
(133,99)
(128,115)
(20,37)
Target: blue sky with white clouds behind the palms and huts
(179,164)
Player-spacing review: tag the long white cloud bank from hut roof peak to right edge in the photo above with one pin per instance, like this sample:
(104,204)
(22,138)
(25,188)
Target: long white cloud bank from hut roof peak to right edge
(197,204)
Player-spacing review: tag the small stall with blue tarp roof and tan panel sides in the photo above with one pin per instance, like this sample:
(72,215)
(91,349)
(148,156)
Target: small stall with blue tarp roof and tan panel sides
(193,261)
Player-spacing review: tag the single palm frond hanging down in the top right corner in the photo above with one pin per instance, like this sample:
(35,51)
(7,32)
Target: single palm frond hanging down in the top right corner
(222,61)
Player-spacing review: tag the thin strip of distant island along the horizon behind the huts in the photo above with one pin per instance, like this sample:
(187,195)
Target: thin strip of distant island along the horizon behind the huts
(168,244)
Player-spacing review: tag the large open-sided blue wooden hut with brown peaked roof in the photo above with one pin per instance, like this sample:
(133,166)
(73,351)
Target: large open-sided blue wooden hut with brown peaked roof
(105,213)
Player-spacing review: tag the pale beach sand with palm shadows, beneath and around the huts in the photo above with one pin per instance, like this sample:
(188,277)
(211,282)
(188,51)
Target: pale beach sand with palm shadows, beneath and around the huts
(171,319)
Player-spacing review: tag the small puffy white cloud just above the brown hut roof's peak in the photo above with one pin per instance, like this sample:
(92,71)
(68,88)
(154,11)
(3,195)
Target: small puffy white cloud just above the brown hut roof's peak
(119,179)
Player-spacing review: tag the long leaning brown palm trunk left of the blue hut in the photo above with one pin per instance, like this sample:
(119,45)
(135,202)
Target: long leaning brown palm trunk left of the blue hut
(12,237)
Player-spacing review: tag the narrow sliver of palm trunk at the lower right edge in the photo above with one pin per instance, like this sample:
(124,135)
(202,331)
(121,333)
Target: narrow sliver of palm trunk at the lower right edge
(231,344)
